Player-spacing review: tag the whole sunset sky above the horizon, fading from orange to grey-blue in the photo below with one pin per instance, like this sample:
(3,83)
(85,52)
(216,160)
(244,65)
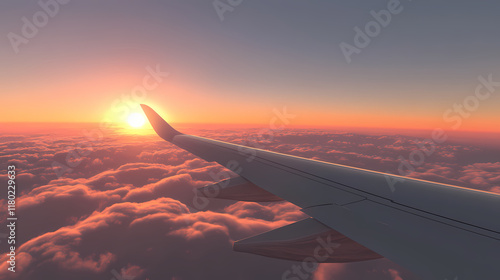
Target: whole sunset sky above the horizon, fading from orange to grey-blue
(263,55)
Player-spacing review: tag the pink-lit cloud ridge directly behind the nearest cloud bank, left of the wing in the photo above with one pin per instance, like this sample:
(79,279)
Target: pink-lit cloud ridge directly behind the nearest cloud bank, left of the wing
(80,197)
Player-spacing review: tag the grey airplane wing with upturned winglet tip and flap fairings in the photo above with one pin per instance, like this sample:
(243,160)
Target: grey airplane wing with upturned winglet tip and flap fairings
(438,231)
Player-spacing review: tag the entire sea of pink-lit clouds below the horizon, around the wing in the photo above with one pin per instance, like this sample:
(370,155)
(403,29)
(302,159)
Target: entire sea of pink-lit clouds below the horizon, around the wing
(127,208)
